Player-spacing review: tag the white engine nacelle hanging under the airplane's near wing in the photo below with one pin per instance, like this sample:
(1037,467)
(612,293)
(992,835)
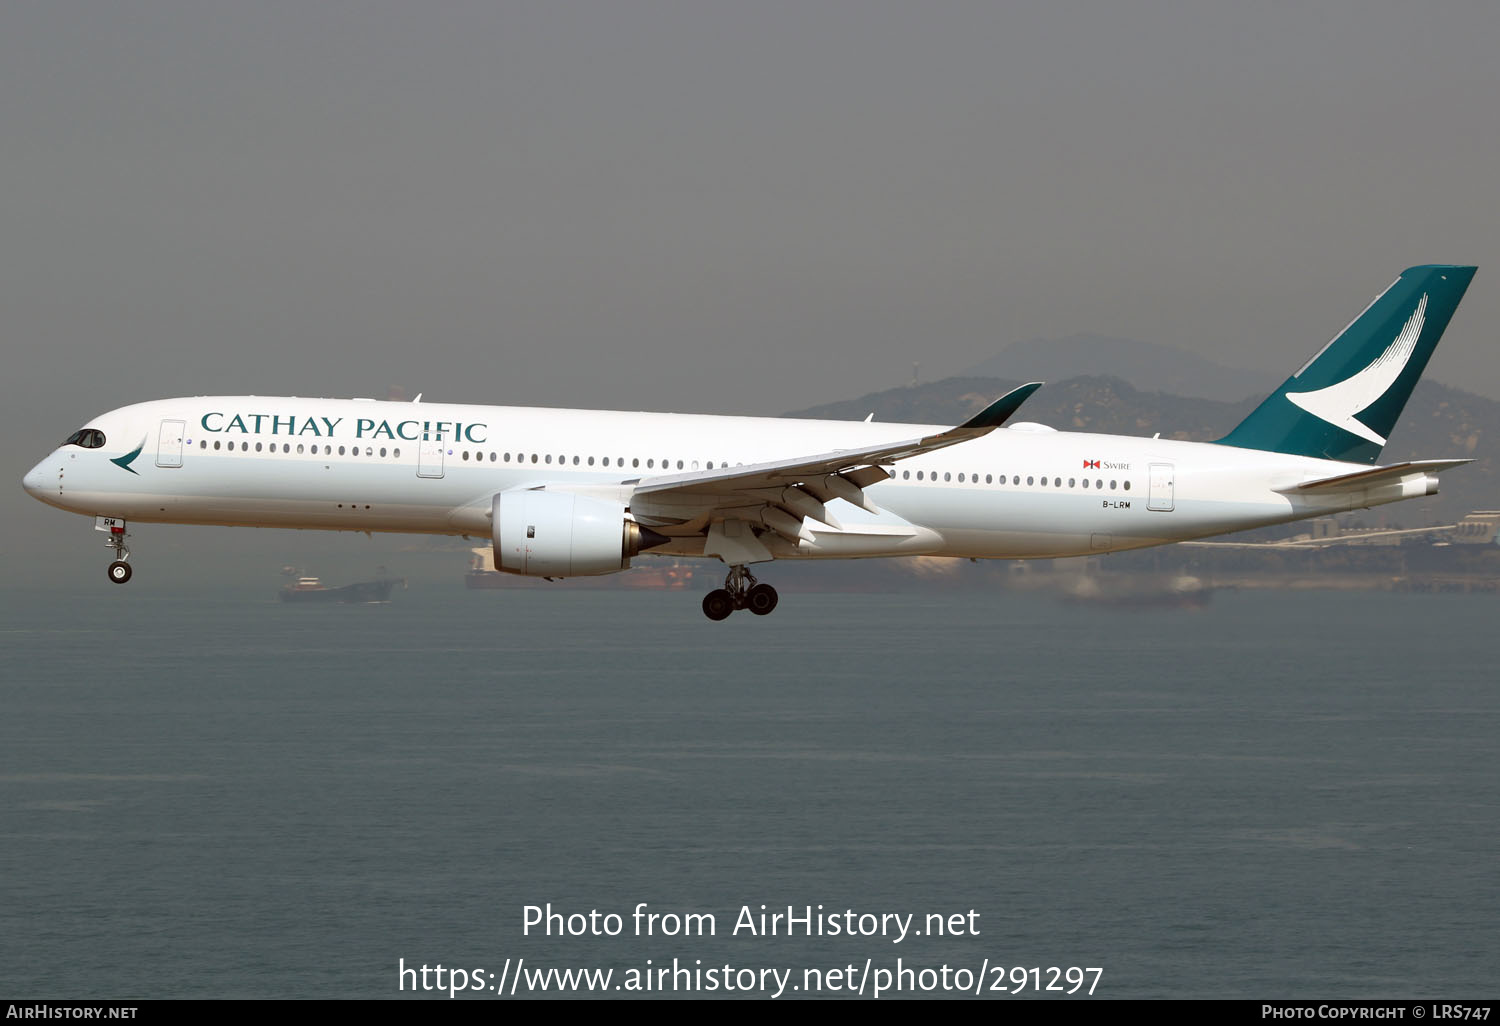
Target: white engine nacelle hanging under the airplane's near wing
(559,535)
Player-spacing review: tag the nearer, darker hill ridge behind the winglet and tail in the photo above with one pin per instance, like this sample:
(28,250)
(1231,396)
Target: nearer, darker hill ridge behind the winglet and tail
(1439,422)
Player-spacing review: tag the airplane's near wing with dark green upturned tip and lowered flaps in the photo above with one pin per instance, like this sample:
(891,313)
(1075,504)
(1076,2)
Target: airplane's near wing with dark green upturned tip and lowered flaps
(782,494)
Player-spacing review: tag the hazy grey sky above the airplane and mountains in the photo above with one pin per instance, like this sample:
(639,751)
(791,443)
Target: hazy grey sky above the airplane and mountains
(749,208)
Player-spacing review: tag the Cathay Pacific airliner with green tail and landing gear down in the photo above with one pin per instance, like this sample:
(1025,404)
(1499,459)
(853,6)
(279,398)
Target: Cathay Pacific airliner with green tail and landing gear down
(571,493)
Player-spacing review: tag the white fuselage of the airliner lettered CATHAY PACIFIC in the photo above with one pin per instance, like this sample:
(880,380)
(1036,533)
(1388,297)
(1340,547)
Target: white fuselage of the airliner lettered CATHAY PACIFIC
(433,469)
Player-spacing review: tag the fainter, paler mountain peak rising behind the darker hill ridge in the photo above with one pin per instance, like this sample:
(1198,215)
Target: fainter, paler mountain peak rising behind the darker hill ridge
(1150,367)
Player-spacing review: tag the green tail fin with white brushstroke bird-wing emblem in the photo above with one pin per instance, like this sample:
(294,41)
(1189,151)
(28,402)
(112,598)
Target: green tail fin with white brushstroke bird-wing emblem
(1346,400)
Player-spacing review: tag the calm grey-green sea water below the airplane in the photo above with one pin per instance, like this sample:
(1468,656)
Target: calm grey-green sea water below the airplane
(215,794)
